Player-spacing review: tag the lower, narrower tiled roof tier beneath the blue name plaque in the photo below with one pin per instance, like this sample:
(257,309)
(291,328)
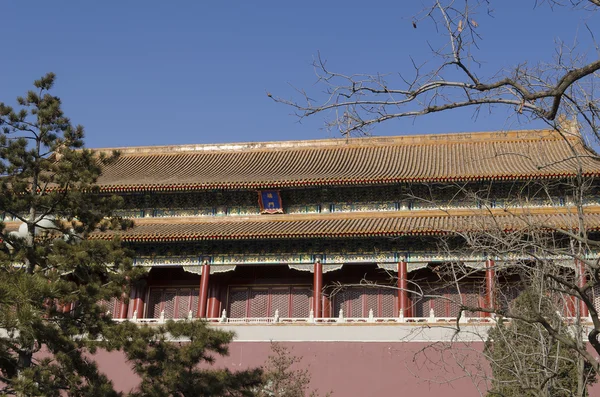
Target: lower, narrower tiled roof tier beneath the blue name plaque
(352,225)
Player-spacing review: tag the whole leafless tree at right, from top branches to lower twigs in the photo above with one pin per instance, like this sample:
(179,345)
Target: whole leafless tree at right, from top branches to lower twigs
(563,94)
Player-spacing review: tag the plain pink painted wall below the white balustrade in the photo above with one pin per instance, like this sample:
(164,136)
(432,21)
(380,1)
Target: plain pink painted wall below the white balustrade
(350,368)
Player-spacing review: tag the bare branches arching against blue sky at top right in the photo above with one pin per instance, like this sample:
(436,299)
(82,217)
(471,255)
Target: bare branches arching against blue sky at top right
(455,78)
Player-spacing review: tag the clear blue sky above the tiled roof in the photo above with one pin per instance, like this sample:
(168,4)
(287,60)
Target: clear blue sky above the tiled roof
(163,72)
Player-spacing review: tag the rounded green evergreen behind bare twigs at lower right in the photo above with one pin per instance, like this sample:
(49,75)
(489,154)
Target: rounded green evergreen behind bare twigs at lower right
(524,358)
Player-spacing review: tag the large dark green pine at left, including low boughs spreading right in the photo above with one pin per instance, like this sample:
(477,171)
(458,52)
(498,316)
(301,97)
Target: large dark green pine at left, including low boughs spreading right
(53,278)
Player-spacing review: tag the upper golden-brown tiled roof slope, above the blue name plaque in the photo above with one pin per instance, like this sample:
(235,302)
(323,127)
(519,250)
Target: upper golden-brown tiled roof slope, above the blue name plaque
(451,157)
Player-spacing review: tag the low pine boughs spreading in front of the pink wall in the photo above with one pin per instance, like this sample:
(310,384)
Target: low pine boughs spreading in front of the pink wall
(175,363)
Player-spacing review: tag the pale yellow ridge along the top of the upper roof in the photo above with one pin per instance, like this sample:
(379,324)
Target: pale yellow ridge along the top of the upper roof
(423,139)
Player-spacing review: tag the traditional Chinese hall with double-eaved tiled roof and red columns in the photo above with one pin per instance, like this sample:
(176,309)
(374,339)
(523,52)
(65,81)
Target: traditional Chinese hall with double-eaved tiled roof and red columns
(299,241)
